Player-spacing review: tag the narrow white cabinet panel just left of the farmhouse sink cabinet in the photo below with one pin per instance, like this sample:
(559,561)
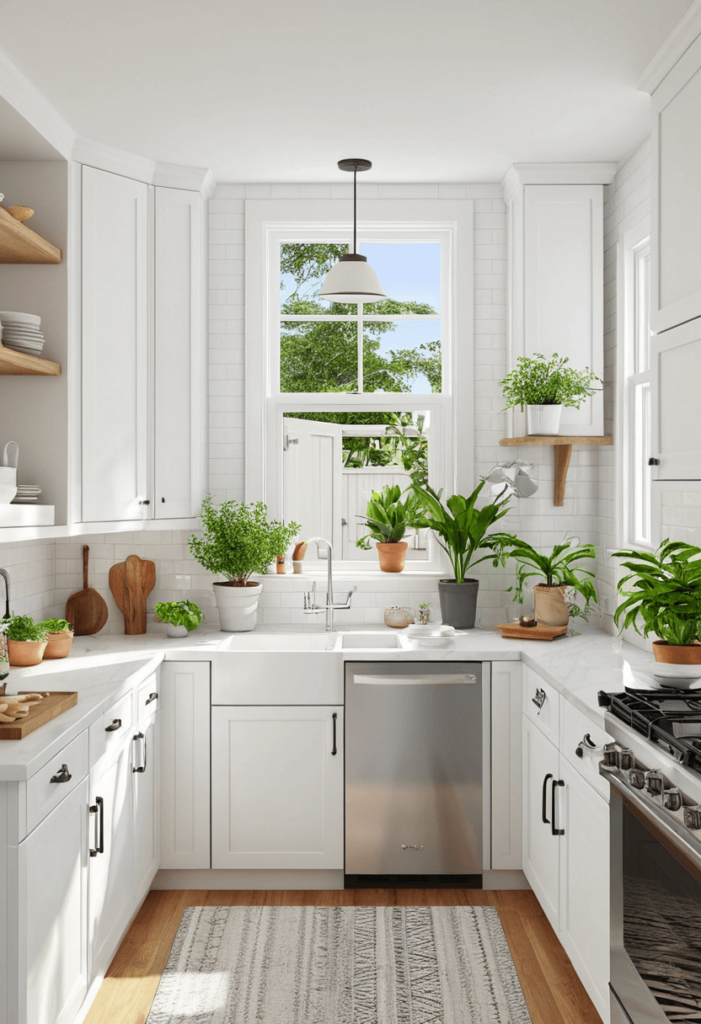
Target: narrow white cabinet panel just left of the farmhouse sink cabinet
(185,697)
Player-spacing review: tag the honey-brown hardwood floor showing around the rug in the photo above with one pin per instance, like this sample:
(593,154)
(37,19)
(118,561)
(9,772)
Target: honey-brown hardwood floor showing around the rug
(553,992)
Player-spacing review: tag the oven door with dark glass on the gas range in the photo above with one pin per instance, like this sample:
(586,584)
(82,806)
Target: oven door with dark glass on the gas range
(655,914)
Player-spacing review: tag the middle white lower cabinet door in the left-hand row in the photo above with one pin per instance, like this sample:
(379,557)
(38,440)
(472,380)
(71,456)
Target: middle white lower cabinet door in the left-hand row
(111,885)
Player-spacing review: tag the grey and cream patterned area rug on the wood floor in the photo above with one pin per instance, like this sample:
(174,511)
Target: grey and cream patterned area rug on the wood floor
(375,965)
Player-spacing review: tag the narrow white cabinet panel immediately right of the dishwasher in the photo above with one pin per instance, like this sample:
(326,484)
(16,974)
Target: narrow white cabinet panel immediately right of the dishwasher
(507,794)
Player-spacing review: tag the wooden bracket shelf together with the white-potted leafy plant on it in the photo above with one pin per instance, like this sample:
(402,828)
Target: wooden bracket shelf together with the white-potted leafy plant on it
(544,388)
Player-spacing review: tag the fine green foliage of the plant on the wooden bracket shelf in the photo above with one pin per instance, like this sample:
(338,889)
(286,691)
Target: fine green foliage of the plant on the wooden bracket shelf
(539,381)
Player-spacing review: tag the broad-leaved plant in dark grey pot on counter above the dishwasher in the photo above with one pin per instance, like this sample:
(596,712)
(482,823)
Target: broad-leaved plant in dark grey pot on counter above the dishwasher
(461,530)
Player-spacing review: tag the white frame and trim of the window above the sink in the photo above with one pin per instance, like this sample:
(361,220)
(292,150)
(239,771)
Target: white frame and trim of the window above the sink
(452,442)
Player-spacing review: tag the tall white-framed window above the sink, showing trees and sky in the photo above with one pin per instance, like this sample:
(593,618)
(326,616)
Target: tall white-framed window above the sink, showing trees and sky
(341,399)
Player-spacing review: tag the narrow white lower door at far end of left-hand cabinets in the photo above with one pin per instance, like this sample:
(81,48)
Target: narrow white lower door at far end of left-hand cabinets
(146,776)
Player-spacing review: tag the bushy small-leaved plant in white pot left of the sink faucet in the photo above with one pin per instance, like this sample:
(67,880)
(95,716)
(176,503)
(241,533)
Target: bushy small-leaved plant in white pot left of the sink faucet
(238,541)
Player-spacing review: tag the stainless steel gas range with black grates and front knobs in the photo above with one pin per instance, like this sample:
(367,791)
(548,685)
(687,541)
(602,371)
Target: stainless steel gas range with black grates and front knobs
(655,774)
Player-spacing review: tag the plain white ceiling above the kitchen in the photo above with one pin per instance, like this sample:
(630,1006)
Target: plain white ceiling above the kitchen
(266,91)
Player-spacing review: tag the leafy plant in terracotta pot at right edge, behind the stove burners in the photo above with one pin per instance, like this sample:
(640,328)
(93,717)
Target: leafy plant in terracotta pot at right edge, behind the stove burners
(663,591)
